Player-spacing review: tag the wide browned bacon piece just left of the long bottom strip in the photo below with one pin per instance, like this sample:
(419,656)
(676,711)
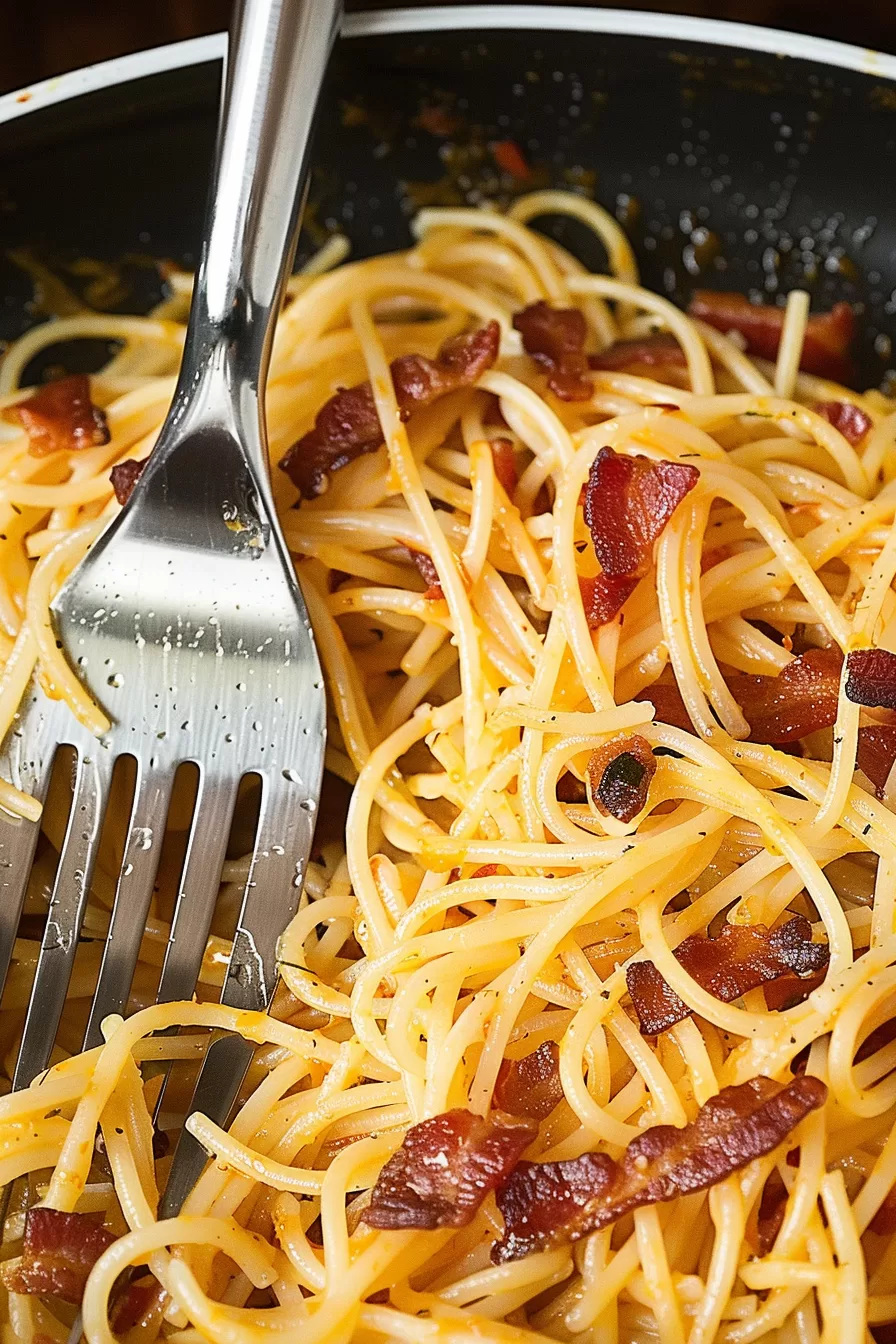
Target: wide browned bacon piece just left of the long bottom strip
(445,1169)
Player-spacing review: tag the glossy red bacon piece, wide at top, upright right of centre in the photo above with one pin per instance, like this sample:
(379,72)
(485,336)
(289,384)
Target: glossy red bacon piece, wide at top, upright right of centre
(628,502)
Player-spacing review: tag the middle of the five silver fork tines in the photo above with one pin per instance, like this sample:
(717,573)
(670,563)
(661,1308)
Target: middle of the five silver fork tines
(134,893)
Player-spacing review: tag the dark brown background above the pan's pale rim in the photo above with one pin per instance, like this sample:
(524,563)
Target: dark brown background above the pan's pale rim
(56,36)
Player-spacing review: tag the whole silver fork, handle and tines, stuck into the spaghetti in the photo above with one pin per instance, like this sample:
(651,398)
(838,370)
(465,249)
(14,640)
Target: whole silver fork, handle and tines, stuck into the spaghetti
(186,620)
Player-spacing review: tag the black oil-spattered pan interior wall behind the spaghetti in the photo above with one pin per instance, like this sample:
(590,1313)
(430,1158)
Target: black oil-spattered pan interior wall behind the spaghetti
(731,170)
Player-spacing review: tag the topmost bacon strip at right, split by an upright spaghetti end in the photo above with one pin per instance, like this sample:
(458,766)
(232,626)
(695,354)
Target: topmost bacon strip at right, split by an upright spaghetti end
(828,335)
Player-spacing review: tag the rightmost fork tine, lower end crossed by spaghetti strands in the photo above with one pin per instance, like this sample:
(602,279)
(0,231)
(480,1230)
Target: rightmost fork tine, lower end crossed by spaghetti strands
(271,898)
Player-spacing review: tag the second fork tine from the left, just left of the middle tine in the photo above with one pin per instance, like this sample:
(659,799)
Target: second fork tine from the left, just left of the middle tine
(68,904)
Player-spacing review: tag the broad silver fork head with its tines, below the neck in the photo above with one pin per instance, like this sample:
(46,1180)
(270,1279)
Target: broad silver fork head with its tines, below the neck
(187,626)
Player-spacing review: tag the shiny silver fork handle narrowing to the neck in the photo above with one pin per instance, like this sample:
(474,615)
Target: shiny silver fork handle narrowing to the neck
(276,62)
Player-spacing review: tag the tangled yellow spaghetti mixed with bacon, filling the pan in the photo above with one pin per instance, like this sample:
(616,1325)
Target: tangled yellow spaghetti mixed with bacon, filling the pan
(607,628)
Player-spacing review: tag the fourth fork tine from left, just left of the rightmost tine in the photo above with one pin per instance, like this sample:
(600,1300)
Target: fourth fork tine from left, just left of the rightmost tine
(199,886)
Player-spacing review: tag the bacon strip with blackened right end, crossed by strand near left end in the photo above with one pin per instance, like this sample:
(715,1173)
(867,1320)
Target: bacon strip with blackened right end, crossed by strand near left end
(741,959)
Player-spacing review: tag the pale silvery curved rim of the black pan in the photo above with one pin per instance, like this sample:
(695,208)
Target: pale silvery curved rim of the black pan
(719,33)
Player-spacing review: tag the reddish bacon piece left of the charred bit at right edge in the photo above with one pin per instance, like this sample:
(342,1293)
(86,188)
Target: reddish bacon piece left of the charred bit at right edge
(800,701)
